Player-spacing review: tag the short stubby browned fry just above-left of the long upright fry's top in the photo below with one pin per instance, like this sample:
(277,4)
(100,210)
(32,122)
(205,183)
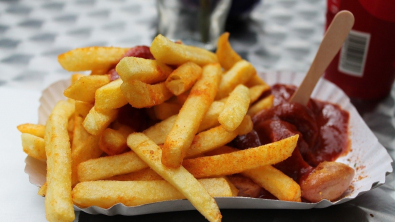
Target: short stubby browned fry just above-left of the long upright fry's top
(183,78)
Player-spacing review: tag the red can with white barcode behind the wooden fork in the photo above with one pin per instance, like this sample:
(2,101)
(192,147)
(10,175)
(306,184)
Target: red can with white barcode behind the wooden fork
(365,66)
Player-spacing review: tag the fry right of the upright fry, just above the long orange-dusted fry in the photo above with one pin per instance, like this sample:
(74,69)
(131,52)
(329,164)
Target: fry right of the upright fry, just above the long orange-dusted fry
(215,137)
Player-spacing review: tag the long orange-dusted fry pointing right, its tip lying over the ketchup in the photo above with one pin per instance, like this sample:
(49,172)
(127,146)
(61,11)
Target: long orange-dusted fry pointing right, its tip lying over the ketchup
(236,162)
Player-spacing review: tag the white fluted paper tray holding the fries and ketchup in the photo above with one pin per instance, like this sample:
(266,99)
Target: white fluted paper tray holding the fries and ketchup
(368,157)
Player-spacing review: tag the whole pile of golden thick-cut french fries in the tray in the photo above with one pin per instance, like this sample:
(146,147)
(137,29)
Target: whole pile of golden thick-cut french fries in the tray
(199,100)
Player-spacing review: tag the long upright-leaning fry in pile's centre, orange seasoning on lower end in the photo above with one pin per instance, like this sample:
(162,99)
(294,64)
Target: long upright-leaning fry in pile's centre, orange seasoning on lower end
(191,114)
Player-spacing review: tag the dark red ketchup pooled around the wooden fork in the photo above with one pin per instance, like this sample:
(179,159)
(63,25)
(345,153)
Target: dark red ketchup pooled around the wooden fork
(322,129)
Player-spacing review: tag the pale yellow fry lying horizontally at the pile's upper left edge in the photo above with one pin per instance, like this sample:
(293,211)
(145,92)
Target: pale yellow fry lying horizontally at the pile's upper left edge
(91,58)
